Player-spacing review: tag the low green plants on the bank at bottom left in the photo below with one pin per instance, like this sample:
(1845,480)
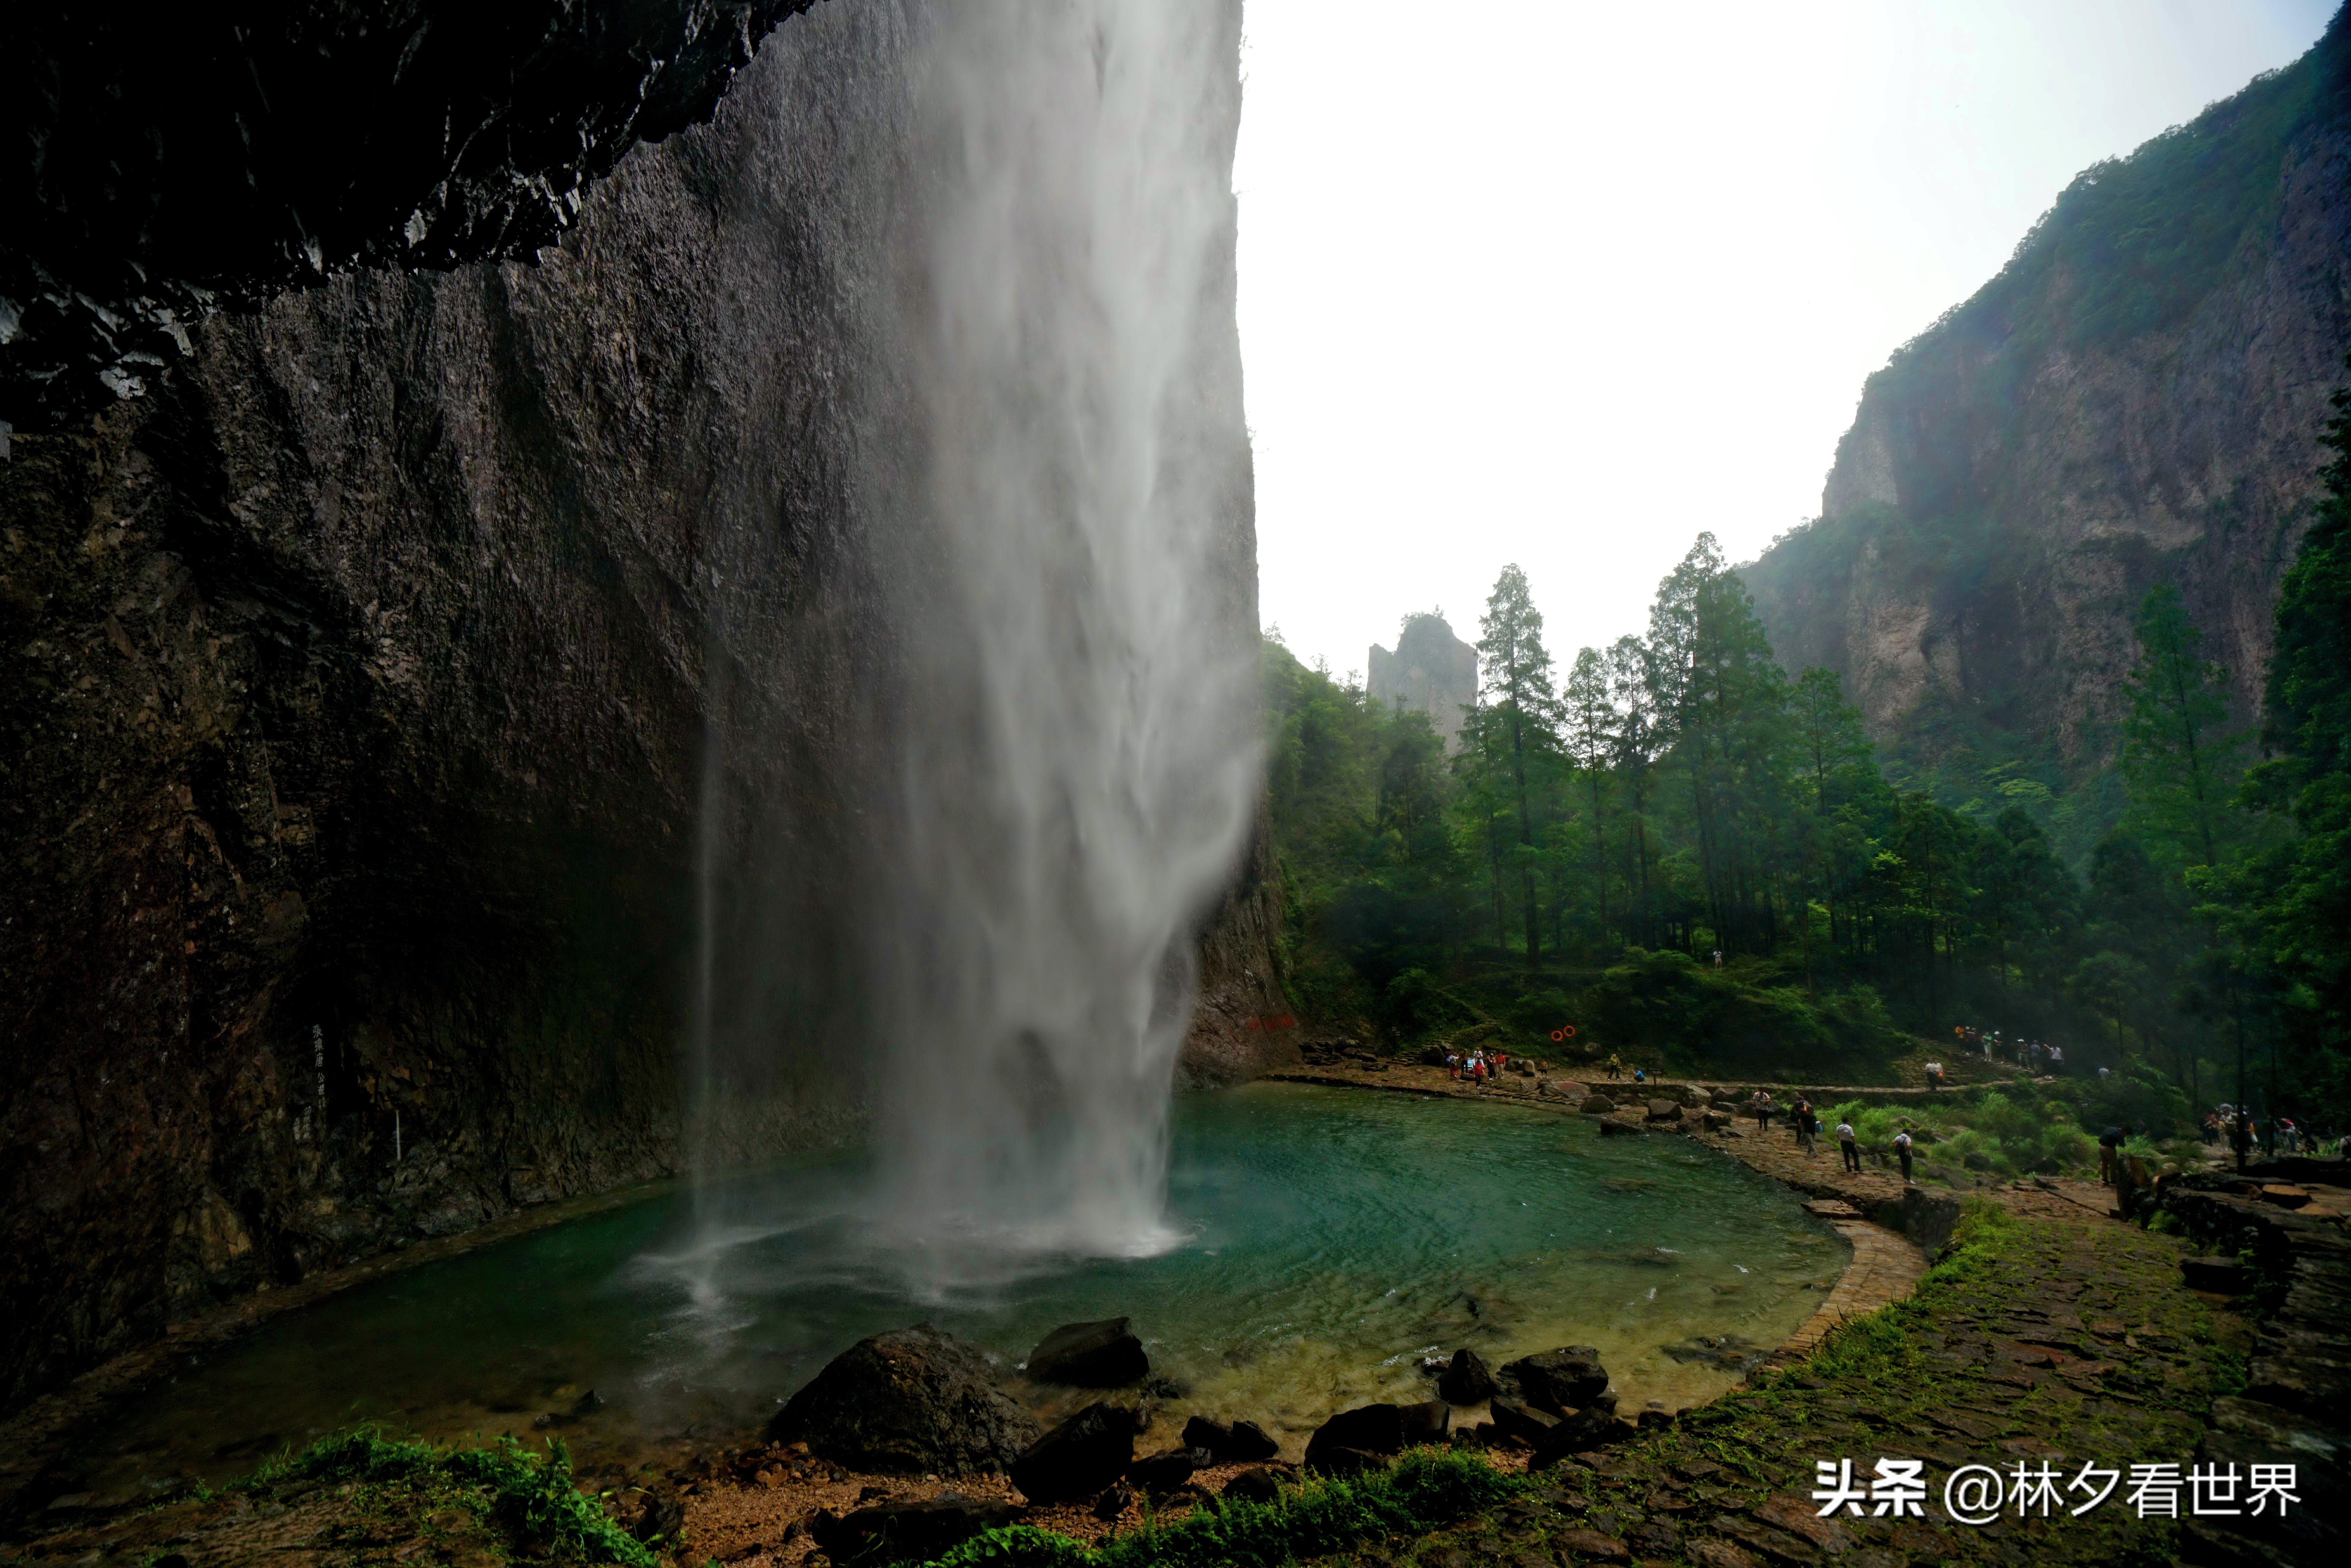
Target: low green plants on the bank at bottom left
(528,1494)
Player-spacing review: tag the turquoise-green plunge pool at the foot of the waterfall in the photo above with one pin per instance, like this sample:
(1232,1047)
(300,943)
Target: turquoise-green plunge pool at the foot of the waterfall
(1329,1240)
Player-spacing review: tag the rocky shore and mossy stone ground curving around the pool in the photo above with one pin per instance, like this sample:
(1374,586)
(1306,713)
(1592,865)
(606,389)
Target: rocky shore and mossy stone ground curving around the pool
(2065,1336)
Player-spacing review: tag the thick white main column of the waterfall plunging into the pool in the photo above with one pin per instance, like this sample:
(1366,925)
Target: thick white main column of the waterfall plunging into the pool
(1076,753)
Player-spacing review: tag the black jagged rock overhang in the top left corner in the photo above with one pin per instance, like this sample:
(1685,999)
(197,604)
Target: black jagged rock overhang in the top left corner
(166,161)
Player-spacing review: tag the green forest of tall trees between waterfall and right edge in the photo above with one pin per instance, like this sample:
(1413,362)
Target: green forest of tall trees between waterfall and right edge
(1708,864)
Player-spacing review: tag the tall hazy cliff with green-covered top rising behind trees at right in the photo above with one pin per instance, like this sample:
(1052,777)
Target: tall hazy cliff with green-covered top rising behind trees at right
(2115,410)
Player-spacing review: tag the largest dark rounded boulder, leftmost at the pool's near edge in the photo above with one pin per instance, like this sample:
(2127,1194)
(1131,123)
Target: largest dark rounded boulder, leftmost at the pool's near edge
(909,1402)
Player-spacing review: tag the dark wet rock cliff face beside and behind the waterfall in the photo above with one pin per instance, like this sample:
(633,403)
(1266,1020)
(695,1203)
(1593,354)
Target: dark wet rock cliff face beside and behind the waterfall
(366,690)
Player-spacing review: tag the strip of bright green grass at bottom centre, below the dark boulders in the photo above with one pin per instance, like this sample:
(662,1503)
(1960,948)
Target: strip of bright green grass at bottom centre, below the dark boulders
(1424,1492)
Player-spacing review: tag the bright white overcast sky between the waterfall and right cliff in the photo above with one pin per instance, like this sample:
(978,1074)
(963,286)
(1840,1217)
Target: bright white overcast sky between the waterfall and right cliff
(1562,283)
